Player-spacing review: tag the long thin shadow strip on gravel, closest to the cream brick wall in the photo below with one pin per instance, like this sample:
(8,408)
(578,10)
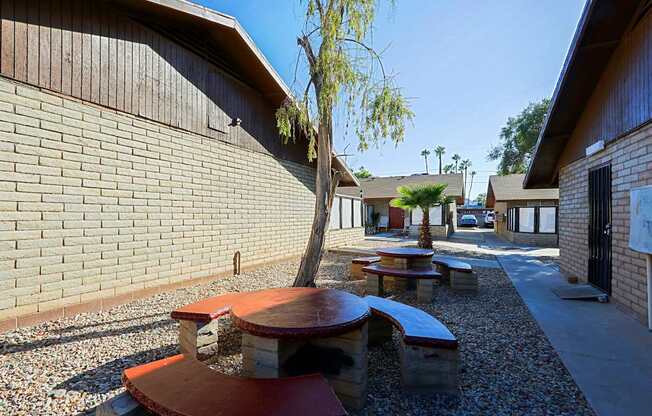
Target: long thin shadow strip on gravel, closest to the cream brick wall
(58,340)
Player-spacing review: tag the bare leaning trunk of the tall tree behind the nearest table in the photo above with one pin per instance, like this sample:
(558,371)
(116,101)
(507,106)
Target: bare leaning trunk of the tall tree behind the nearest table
(325,187)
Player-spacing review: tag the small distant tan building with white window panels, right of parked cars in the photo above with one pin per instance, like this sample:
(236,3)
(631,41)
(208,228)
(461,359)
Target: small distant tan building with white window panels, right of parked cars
(523,216)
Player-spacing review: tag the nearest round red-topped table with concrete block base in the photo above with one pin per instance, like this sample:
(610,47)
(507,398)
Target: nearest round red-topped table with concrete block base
(280,325)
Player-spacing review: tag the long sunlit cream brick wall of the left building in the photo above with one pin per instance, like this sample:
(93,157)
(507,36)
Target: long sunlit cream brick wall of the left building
(95,203)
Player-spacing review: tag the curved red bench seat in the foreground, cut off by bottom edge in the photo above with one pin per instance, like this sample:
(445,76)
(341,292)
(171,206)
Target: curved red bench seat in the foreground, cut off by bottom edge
(180,385)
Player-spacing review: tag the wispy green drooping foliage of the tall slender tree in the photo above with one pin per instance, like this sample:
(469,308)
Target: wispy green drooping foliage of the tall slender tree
(344,70)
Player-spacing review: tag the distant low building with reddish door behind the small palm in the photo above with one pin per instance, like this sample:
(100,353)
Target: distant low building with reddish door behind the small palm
(378,191)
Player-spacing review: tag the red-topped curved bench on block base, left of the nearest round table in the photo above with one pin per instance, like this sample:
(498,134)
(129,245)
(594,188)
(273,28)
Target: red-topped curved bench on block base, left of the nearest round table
(199,324)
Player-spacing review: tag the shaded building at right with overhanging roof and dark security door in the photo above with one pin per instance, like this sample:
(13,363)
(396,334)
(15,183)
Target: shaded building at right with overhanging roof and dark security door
(596,146)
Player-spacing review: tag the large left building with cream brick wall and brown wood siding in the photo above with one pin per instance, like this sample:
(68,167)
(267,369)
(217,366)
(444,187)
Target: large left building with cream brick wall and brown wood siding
(139,152)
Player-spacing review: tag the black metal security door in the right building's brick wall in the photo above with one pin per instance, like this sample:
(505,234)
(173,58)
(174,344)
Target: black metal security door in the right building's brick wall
(600,228)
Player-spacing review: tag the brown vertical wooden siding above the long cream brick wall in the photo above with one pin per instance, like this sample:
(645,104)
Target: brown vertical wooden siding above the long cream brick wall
(92,52)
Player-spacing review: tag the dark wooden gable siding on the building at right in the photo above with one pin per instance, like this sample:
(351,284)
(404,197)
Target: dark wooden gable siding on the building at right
(622,101)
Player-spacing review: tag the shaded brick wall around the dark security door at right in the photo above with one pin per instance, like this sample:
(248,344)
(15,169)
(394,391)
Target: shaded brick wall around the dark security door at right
(631,166)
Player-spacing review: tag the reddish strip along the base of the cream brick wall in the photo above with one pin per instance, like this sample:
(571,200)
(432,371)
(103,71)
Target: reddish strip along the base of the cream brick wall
(110,302)
